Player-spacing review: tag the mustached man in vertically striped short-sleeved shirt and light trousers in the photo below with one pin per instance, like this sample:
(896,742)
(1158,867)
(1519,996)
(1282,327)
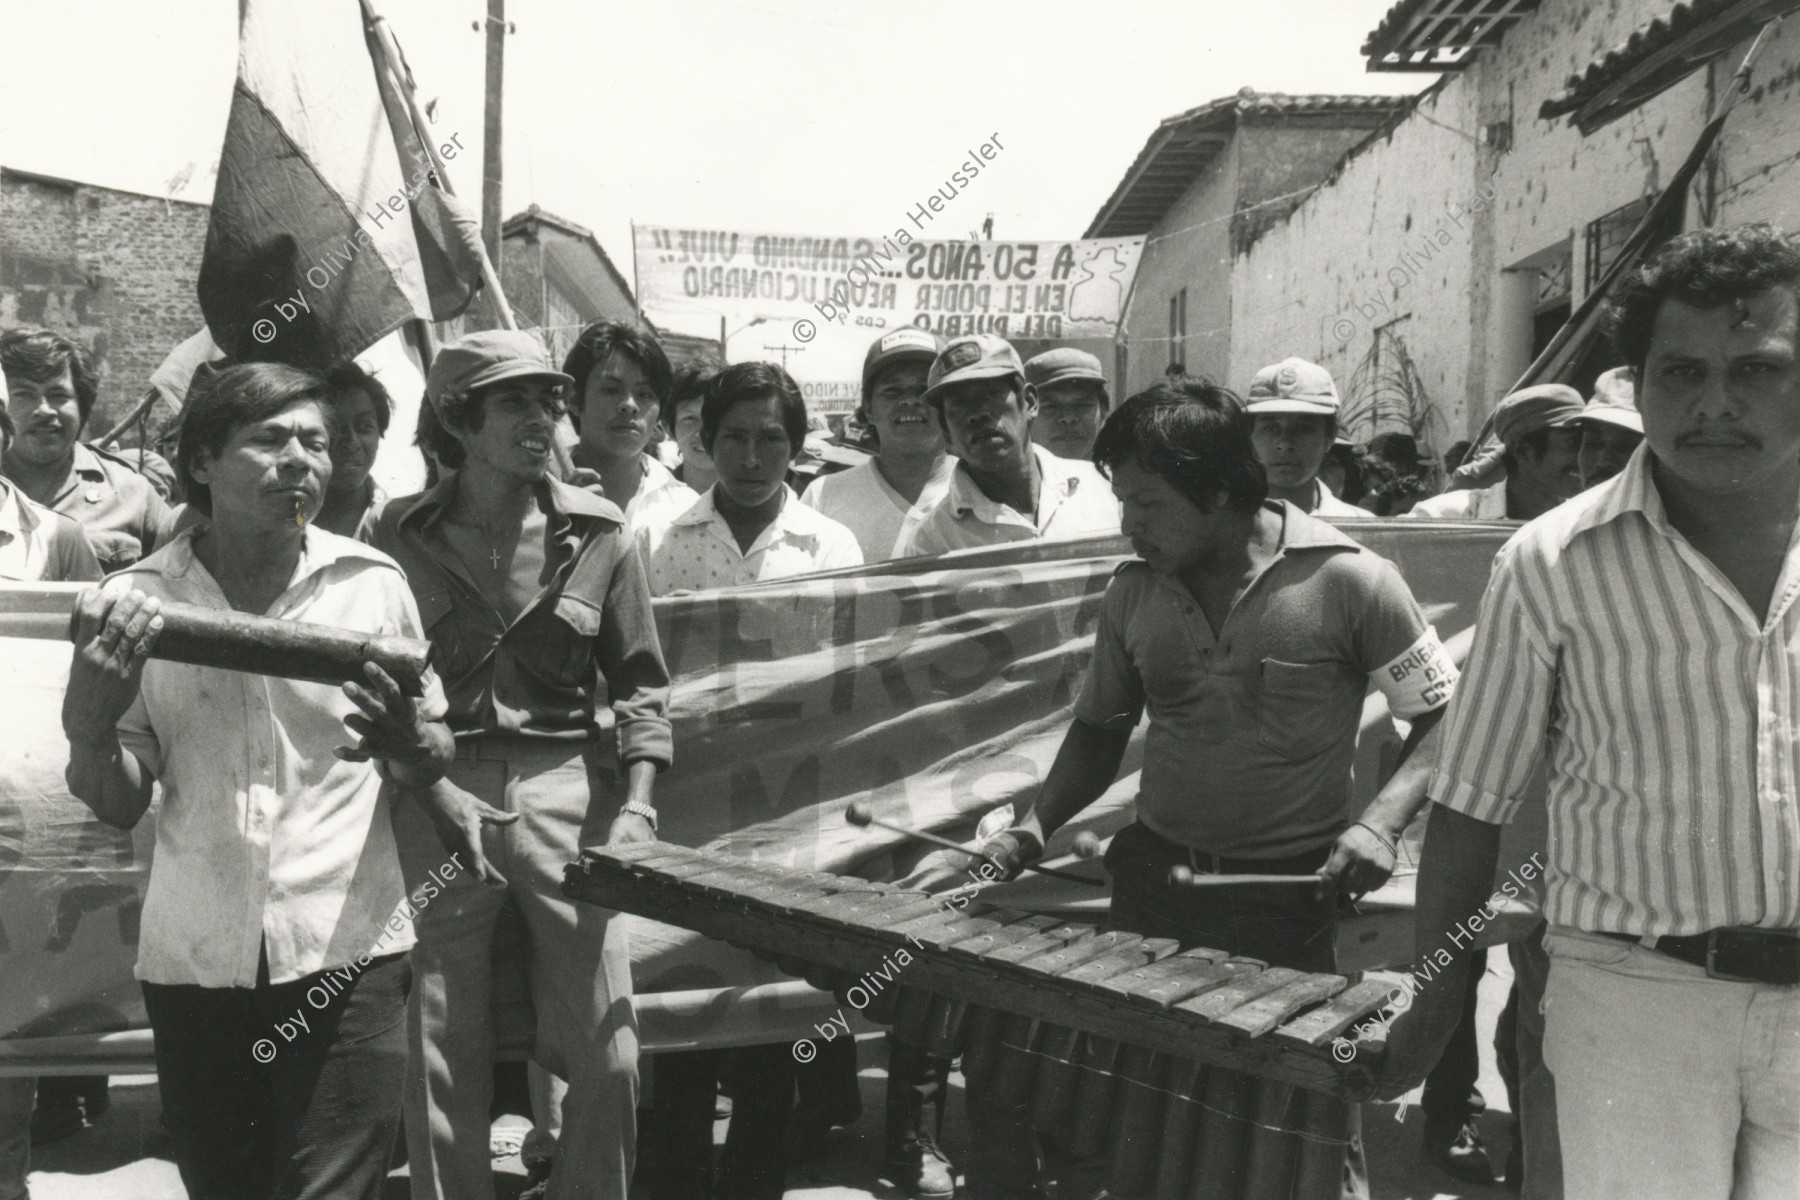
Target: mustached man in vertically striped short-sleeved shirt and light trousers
(1644,636)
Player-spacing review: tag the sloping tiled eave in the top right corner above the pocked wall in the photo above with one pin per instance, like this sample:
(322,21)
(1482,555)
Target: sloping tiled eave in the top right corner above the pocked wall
(1657,57)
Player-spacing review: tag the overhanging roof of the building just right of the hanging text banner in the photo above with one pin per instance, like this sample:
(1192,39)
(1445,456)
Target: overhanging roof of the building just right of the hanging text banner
(1183,147)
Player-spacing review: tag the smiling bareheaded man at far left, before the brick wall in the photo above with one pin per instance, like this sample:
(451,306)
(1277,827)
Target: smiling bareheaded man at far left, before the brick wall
(53,390)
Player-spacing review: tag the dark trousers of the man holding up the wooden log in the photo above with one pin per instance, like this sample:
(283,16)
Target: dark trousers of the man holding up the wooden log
(260,1106)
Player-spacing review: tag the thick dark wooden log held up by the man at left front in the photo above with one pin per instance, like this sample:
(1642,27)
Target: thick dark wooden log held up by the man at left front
(233,641)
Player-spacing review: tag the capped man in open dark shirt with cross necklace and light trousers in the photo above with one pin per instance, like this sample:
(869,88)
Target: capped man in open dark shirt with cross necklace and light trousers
(535,605)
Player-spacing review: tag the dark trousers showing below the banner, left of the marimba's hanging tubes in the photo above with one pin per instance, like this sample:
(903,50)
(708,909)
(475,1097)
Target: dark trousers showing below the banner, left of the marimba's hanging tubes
(753,1165)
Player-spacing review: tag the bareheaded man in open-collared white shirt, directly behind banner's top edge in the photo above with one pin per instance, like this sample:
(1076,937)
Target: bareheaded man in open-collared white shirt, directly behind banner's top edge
(748,526)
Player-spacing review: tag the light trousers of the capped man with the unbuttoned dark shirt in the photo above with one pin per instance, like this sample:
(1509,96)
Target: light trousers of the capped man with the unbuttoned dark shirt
(577,967)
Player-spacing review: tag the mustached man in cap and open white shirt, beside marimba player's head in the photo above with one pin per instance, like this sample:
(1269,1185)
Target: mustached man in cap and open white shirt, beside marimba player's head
(1005,488)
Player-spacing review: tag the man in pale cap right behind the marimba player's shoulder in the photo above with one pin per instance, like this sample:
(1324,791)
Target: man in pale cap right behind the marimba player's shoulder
(1293,409)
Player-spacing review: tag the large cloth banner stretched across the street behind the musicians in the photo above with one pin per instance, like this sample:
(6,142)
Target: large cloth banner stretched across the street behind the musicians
(933,690)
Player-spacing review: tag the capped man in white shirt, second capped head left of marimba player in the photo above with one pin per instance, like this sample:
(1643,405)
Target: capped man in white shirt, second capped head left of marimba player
(910,467)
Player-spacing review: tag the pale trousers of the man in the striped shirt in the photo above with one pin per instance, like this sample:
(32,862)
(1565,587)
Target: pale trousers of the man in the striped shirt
(1669,1084)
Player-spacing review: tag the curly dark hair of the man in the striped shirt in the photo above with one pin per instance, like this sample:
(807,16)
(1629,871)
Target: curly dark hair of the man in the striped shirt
(1705,269)
